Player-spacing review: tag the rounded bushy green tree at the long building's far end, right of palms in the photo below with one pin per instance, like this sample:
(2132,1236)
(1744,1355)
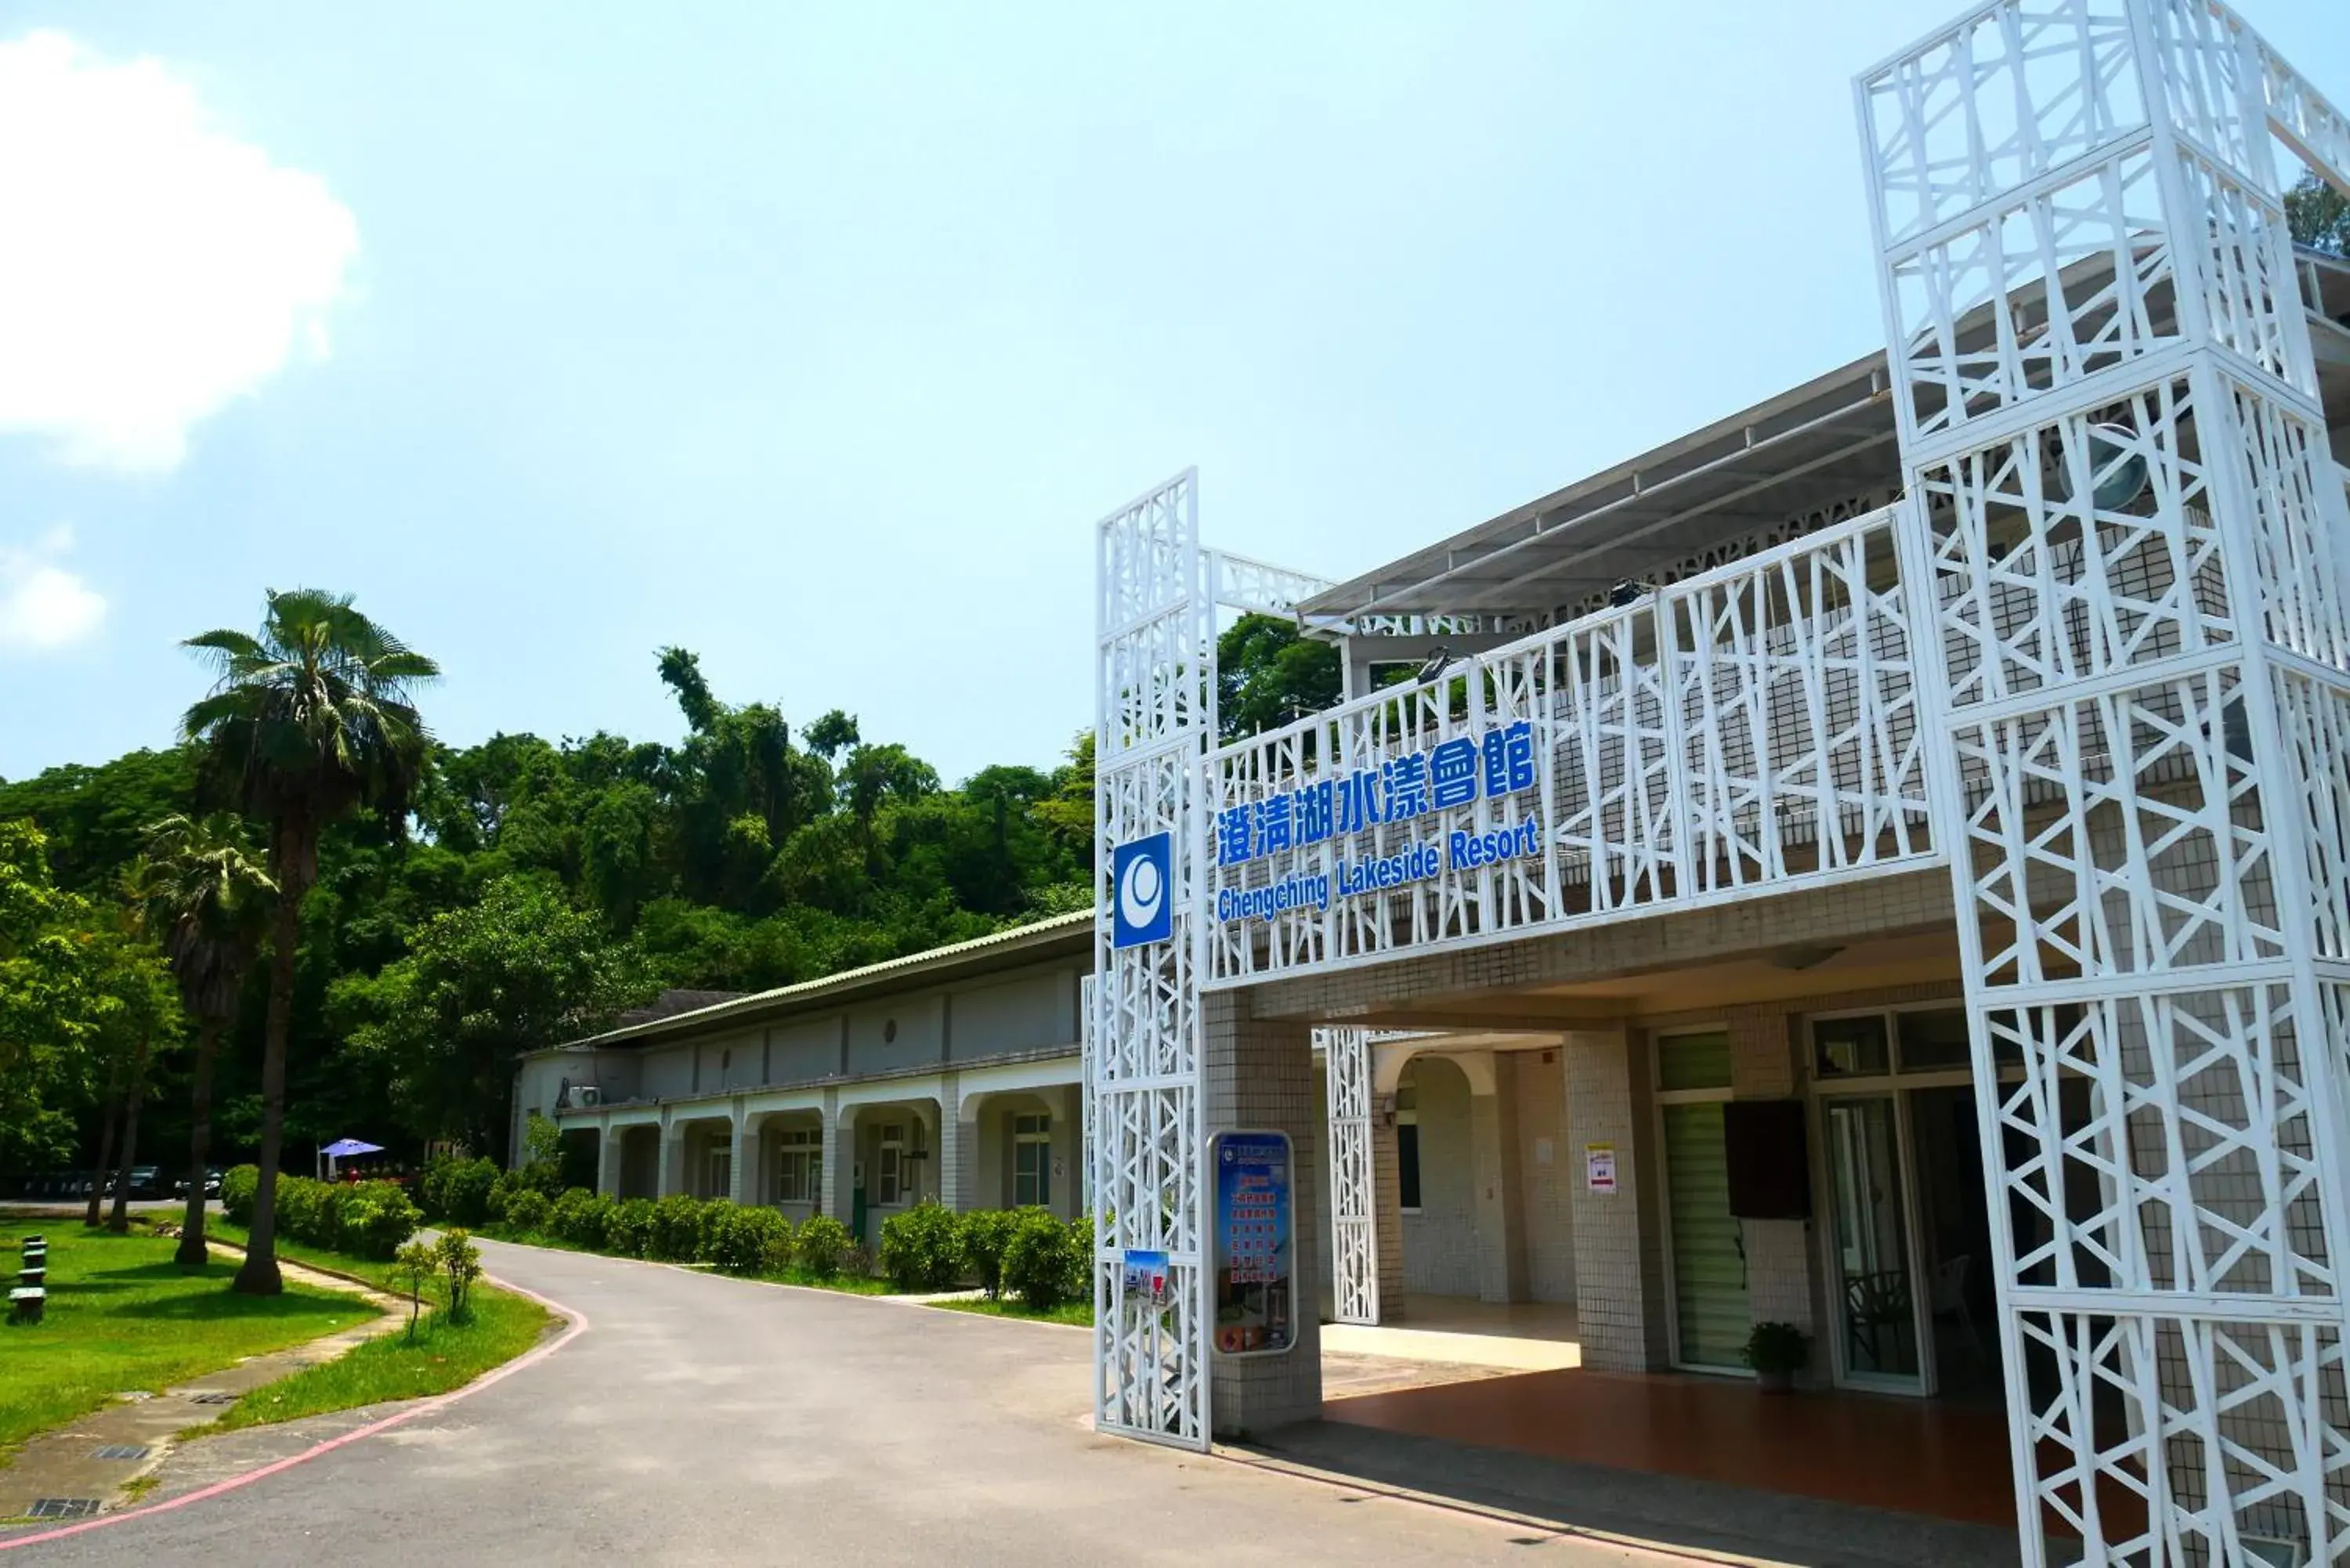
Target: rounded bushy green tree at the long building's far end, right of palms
(513,972)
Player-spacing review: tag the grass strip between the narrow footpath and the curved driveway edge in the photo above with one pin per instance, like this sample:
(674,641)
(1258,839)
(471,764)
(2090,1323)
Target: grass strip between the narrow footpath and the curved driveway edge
(443,1355)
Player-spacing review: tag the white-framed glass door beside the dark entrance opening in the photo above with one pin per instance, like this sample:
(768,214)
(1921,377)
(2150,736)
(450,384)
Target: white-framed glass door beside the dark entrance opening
(1876,1296)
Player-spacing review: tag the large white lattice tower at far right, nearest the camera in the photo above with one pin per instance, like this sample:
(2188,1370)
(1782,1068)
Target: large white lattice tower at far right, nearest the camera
(2137,542)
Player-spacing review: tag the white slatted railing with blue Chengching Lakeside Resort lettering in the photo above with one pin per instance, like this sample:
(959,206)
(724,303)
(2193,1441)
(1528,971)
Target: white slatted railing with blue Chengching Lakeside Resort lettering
(1743,730)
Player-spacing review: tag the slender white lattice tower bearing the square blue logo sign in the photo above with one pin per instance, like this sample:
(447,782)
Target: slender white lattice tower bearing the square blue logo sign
(1155,690)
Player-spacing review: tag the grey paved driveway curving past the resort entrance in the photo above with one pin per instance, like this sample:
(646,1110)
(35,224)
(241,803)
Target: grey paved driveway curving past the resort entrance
(713,1421)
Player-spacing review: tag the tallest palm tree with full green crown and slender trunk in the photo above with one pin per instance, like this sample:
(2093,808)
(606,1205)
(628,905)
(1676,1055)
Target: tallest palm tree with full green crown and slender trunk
(307,725)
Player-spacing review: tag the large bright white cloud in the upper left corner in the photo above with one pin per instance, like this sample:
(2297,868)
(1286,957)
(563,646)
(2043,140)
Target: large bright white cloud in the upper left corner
(154,267)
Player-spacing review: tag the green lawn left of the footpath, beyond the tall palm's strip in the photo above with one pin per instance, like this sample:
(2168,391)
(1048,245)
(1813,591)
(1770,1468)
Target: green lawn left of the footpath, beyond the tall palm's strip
(126,1318)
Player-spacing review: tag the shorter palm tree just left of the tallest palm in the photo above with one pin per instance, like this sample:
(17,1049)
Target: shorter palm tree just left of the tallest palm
(213,902)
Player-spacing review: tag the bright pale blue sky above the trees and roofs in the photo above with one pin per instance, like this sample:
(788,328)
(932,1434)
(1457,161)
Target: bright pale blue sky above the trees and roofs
(817,340)
